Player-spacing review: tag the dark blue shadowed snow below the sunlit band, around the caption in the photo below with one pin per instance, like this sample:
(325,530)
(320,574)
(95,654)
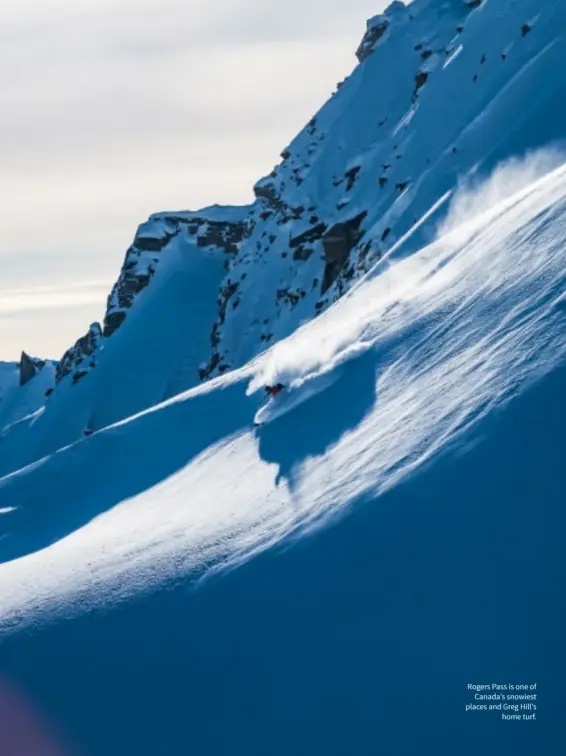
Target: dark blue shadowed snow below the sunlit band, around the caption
(360,639)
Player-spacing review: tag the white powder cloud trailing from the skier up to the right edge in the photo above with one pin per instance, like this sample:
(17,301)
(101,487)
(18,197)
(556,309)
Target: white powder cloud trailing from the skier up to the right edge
(404,290)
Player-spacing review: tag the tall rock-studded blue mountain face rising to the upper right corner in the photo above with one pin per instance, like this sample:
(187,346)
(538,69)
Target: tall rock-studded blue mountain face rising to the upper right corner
(445,90)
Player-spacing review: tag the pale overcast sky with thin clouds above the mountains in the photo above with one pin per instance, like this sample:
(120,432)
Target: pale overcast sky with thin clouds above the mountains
(114,109)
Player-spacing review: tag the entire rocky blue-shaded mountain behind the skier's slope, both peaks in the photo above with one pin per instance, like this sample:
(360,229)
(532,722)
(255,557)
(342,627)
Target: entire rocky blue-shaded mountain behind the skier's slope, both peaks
(444,91)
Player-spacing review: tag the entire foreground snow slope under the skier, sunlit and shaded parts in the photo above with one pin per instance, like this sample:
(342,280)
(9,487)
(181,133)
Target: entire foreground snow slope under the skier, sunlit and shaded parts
(439,433)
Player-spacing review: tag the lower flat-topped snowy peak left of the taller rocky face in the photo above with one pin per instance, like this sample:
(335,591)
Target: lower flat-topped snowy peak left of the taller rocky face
(144,353)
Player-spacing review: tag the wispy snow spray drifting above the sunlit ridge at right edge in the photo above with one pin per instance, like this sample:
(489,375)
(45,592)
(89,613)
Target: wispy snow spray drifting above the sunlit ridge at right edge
(477,195)
